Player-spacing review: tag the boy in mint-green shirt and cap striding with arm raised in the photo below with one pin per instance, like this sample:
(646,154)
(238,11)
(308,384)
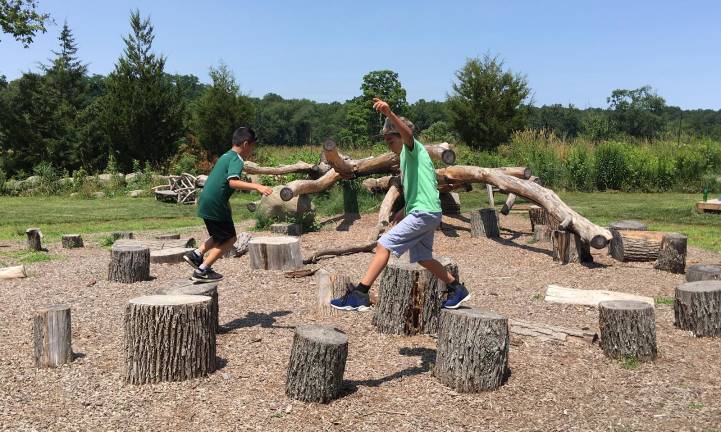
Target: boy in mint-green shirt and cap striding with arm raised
(415,225)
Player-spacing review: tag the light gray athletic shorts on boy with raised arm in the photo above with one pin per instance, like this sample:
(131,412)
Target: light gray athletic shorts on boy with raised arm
(415,234)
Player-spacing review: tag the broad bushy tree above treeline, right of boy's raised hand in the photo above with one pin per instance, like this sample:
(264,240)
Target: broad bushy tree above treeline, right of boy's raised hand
(486,105)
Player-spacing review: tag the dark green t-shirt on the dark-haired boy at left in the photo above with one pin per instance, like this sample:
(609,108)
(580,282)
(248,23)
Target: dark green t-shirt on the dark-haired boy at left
(216,192)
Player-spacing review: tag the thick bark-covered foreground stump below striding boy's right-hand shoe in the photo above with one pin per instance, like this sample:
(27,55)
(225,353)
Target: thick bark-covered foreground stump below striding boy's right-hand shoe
(472,350)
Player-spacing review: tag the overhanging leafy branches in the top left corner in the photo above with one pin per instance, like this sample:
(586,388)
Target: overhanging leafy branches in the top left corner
(21,19)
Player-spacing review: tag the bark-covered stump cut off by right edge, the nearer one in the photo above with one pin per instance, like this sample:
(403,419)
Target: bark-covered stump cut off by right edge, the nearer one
(697,307)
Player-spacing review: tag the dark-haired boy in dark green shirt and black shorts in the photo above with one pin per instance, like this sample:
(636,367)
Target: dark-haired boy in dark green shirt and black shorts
(214,207)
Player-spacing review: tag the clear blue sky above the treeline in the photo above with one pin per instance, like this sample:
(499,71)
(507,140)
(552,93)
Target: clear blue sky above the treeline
(570,51)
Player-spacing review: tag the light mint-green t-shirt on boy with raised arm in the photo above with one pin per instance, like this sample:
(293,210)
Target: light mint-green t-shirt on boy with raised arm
(420,188)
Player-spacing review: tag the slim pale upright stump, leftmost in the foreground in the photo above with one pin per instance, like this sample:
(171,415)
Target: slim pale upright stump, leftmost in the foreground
(52,338)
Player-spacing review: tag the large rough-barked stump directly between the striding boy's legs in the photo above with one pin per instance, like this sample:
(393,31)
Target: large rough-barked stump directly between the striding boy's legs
(410,297)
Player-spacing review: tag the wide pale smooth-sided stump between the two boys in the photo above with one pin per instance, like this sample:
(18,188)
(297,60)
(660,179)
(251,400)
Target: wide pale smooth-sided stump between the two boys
(275,253)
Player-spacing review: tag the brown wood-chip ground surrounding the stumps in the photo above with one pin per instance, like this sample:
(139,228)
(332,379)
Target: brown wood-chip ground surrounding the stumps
(388,380)
